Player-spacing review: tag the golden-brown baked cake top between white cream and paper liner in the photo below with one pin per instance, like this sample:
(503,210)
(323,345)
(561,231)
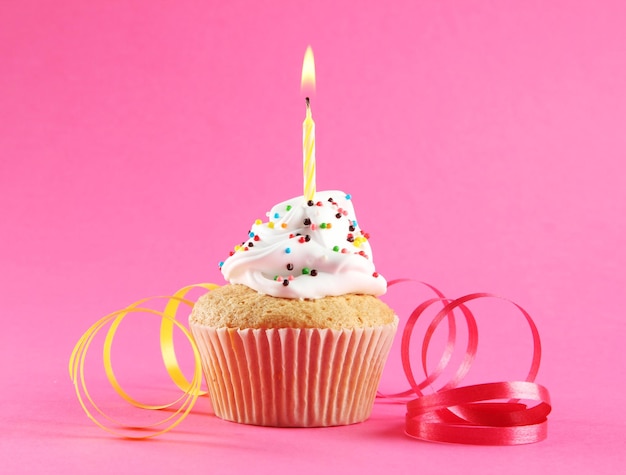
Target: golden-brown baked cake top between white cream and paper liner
(238,306)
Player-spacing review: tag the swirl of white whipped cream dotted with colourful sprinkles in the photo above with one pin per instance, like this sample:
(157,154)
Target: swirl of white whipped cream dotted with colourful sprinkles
(306,250)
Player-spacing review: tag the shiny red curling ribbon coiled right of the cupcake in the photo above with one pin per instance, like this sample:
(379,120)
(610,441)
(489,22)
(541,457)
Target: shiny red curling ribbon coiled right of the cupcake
(472,414)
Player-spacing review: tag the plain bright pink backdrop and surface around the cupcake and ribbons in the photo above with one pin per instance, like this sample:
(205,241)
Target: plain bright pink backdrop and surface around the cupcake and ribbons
(483,143)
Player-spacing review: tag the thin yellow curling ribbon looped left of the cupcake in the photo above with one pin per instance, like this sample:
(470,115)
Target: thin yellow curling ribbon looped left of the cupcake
(191,389)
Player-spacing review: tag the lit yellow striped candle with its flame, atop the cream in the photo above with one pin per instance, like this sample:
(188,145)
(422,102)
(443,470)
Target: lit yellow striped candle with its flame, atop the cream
(308,127)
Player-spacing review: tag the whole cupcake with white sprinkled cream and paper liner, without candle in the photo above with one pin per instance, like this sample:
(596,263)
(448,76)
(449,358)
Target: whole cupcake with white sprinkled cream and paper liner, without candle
(298,338)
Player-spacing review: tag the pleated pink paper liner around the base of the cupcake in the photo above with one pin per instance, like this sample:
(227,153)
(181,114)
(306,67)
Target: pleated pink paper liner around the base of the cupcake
(293,377)
